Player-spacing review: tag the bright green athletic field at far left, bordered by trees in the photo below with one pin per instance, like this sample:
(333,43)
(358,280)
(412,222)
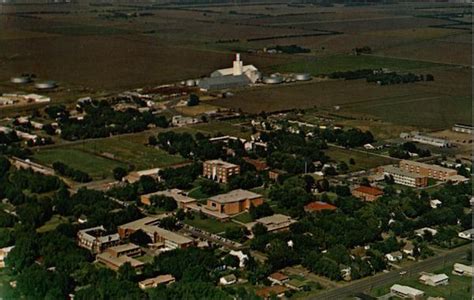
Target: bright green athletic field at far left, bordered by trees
(95,166)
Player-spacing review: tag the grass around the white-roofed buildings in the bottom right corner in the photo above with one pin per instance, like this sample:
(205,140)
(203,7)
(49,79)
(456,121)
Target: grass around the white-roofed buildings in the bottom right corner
(459,287)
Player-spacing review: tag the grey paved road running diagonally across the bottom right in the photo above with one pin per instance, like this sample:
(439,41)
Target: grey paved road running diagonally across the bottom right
(392,277)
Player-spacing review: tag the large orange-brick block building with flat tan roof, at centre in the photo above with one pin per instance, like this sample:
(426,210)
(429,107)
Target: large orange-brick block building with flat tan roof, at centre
(234,202)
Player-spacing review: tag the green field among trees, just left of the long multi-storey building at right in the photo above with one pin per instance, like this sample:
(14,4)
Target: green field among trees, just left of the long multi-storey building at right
(362,161)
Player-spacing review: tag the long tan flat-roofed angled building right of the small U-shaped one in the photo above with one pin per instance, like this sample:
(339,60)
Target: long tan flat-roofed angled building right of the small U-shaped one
(159,236)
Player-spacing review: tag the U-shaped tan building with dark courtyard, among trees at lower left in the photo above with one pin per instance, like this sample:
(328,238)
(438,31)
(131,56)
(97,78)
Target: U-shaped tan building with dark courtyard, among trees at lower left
(96,239)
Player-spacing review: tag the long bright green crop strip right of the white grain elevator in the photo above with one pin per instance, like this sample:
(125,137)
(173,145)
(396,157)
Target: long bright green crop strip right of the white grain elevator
(335,63)
